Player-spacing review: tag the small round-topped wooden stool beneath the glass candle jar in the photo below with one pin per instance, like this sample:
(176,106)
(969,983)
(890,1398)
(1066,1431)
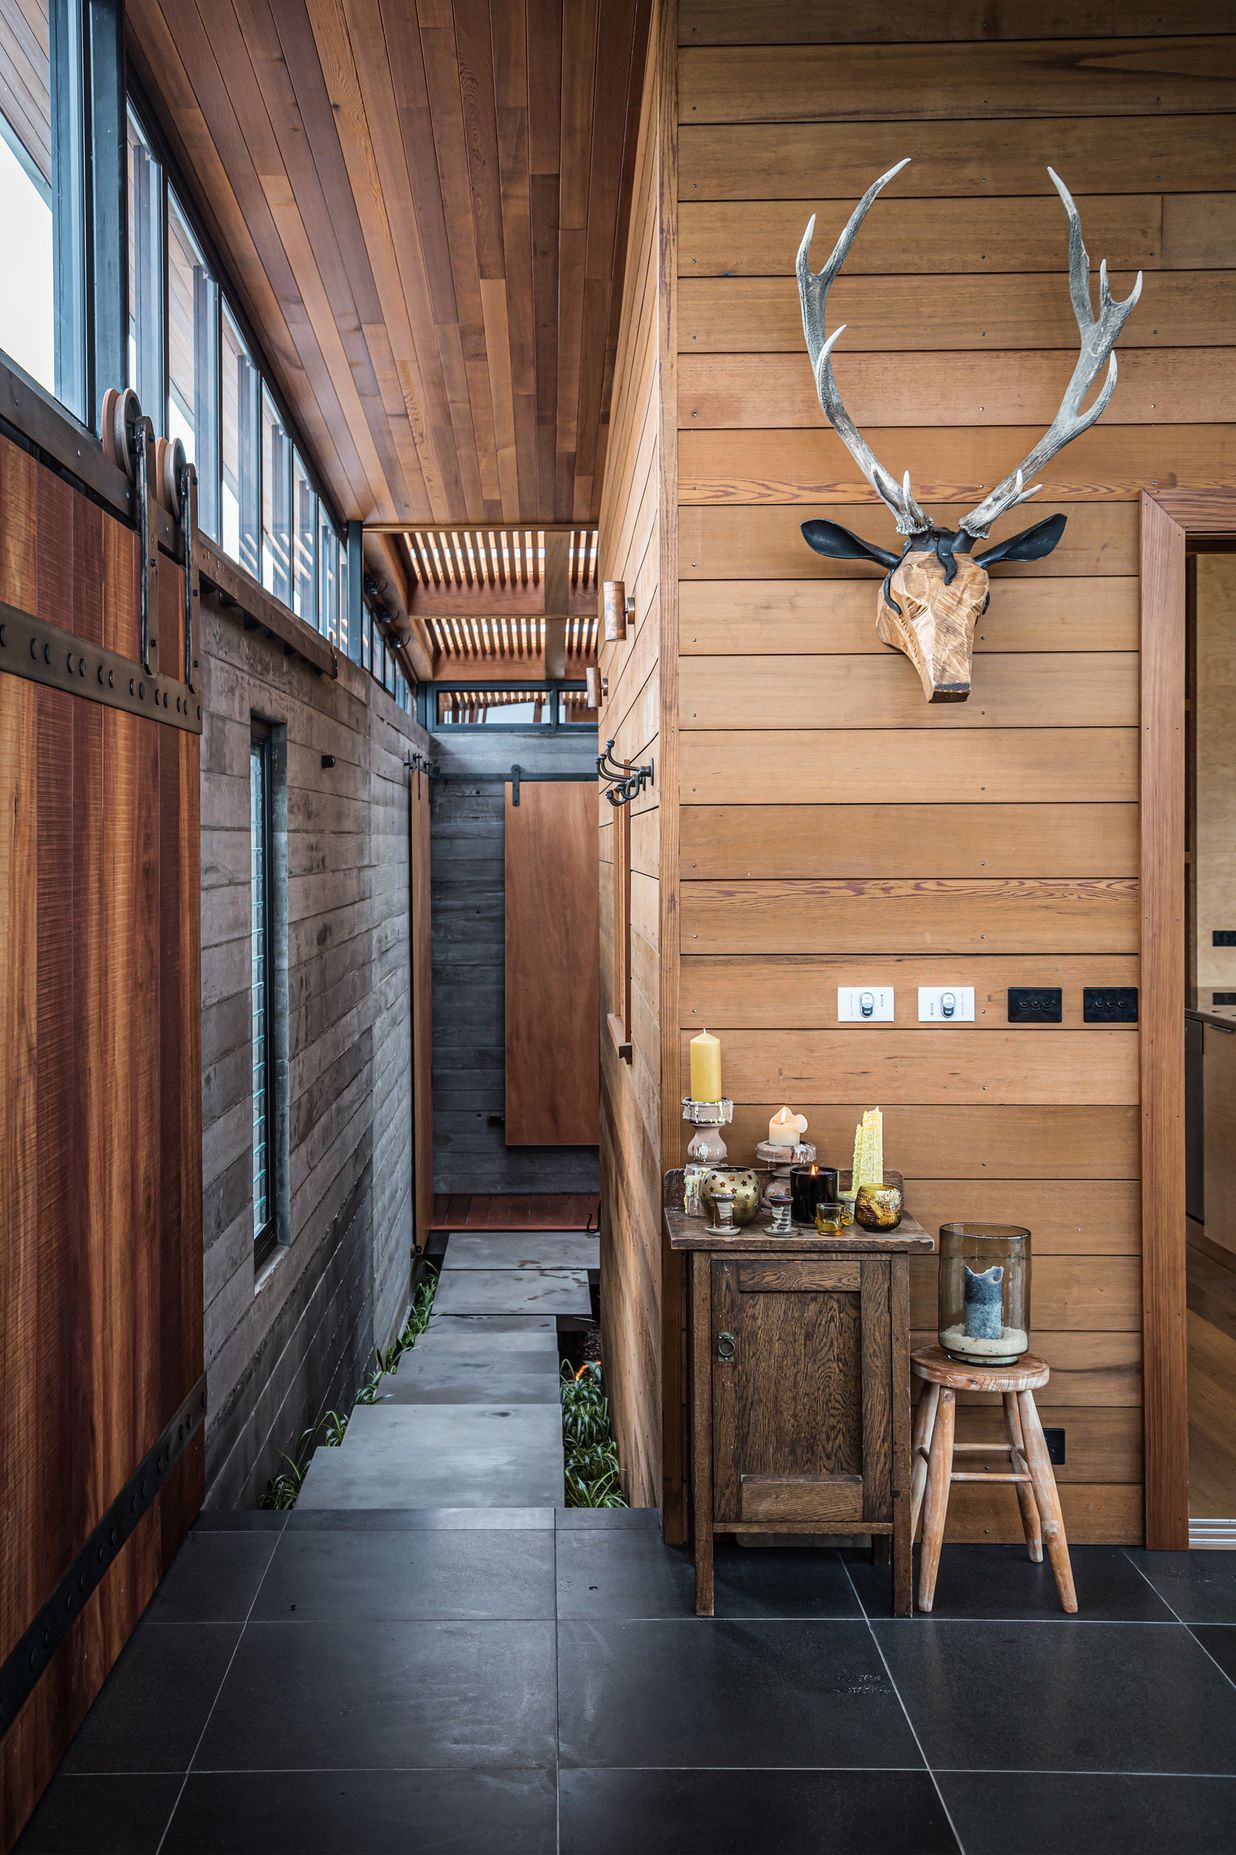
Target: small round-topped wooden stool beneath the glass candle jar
(1031,1468)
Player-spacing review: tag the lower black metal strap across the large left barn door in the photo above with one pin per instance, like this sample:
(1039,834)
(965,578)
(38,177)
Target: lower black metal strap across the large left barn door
(88,1570)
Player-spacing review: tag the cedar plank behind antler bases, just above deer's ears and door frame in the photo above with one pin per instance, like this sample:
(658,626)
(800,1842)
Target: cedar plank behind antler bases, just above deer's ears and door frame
(947,465)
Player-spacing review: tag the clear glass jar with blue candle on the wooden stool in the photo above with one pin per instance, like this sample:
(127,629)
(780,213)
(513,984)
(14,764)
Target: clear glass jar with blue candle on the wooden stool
(985,1294)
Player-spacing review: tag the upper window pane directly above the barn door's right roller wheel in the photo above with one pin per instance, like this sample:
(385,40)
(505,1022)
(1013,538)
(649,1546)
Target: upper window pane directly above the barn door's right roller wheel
(194,361)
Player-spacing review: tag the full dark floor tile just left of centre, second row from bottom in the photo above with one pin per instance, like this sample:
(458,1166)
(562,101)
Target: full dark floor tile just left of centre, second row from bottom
(385,1695)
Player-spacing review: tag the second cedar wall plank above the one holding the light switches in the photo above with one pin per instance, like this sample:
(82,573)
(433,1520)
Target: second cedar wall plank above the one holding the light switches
(903,841)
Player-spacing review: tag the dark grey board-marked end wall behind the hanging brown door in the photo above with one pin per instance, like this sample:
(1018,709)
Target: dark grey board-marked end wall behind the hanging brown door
(469,932)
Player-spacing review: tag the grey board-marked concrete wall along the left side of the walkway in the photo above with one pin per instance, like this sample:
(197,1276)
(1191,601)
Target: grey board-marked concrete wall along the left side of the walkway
(294,1340)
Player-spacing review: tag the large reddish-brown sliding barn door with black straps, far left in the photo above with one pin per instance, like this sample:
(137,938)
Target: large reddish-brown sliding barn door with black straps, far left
(101,1181)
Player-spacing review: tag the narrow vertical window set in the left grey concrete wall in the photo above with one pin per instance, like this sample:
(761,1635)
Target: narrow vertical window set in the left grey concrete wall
(263,991)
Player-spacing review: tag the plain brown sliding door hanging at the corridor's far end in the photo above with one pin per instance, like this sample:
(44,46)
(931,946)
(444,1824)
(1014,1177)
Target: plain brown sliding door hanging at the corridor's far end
(552,966)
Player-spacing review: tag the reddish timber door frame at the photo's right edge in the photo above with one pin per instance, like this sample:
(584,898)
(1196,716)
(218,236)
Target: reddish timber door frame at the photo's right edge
(1172,520)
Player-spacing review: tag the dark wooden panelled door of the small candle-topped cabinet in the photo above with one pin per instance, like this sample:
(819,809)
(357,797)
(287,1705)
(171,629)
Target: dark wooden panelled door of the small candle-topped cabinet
(795,1433)
